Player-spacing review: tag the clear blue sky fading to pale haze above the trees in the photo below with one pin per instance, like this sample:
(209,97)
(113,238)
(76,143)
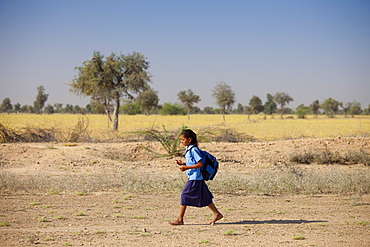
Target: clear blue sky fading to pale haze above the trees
(311,49)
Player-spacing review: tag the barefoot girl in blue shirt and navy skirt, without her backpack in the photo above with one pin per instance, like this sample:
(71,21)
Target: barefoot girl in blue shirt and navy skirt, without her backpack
(196,192)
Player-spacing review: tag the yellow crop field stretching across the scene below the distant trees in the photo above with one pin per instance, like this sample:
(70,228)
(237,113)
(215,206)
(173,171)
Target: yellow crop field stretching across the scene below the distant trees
(265,130)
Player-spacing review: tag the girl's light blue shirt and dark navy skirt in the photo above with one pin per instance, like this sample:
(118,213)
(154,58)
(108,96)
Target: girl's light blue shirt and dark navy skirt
(195,192)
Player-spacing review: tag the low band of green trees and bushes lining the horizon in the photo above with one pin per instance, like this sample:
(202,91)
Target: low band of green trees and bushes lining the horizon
(329,107)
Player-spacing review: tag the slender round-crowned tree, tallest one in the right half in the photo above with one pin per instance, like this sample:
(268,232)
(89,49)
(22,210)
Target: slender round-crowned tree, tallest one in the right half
(225,97)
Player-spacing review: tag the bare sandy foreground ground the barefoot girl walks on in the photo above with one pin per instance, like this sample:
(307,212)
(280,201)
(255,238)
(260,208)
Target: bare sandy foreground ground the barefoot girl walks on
(116,219)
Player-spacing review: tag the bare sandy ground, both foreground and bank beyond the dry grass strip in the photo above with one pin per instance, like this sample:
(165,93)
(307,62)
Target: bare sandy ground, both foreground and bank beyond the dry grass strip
(118,218)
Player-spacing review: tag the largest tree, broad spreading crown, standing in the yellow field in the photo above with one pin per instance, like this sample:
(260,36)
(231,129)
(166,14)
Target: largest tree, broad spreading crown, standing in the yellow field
(107,80)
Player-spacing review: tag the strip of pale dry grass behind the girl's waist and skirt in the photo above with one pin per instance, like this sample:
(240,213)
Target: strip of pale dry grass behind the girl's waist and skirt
(284,181)
